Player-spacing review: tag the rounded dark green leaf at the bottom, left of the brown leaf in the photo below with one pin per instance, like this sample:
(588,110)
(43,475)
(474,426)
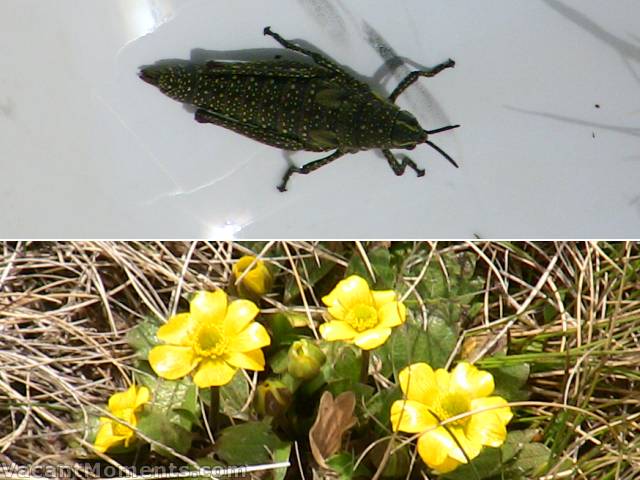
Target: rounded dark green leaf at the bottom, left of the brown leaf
(249,443)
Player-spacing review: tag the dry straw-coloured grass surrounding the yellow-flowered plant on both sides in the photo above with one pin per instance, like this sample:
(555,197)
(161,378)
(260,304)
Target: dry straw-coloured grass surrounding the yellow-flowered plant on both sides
(571,310)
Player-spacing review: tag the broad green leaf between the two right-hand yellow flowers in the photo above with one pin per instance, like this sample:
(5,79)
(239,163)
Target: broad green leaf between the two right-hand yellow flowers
(410,343)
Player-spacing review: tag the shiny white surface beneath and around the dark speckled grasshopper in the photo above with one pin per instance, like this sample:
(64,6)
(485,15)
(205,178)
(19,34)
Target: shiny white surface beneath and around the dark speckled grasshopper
(89,150)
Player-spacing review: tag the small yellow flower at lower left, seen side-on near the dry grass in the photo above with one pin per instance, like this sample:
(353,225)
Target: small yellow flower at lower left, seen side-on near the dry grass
(121,405)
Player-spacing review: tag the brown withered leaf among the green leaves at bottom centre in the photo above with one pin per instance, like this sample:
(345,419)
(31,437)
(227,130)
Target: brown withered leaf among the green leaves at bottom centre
(335,418)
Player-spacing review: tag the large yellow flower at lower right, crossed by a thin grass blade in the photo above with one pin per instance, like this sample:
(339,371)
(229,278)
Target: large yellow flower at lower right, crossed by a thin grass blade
(432,397)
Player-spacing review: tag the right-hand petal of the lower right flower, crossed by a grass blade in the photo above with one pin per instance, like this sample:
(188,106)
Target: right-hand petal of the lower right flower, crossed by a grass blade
(489,427)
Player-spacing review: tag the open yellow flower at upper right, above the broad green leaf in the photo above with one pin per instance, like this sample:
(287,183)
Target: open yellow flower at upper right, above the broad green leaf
(360,315)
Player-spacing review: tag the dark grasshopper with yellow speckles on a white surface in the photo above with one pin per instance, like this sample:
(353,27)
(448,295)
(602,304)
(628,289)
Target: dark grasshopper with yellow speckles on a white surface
(297,106)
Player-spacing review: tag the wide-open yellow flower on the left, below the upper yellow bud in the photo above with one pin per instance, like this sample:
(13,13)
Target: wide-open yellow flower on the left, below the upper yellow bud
(214,339)
